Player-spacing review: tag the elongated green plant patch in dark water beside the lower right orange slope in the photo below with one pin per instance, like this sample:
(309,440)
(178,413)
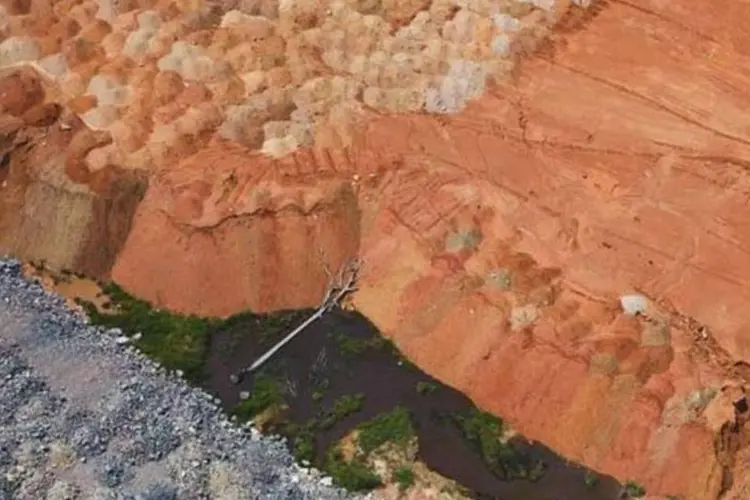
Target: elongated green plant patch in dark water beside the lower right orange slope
(485,432)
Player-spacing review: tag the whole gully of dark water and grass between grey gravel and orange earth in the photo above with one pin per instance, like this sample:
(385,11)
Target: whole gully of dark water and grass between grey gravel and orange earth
(339,358)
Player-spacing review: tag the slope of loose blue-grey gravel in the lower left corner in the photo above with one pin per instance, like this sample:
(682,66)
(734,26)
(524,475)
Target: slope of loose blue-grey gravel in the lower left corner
(83,415)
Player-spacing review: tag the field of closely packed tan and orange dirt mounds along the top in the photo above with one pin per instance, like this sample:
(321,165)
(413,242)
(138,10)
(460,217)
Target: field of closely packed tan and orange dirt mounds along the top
(165,76)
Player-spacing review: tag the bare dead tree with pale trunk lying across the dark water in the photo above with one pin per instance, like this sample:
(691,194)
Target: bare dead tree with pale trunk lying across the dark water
(339,286)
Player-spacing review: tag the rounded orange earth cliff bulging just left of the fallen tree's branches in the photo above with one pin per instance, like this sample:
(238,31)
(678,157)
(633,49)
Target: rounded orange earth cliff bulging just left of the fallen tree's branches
(220,240)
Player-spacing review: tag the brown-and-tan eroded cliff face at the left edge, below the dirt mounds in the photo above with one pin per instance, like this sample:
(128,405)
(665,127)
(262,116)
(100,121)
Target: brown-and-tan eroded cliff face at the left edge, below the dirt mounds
(50,210)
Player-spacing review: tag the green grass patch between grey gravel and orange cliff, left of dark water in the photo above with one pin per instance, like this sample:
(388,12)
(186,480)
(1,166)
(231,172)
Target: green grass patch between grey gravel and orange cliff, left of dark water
(177,341)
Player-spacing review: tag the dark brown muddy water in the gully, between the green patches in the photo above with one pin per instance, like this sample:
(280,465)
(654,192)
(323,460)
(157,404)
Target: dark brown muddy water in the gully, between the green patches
(386,381)
